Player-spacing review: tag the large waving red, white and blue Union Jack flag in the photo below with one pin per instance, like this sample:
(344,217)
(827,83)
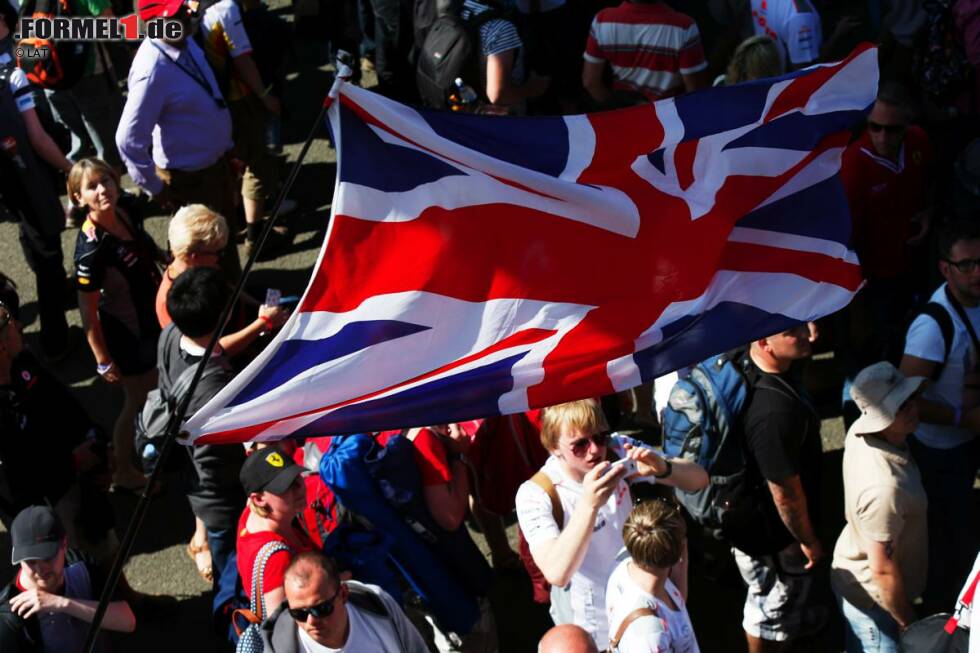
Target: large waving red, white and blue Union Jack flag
(482,265)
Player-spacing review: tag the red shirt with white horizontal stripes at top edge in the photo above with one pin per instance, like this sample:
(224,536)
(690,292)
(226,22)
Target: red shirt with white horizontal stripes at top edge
(649,47)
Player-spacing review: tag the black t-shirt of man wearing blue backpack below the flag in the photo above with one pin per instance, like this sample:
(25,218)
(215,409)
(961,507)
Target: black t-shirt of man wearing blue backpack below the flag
(782,438)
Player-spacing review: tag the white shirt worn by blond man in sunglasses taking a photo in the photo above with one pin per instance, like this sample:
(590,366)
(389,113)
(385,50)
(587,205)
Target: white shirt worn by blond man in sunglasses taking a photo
(588,584)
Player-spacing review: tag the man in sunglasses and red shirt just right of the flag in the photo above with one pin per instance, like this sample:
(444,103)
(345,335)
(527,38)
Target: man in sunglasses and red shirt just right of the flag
(886,175)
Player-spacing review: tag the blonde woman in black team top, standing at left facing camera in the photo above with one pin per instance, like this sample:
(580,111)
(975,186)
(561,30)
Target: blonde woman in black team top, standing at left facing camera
(117,276)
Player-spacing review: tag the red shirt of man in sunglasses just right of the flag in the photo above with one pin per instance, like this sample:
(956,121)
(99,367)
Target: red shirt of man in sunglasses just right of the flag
(884,197)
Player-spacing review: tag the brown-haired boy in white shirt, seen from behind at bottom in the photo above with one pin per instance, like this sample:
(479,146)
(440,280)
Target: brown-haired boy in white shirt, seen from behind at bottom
(646,593)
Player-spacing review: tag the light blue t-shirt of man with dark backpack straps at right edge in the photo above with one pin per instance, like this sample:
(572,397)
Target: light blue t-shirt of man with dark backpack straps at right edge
(925,340)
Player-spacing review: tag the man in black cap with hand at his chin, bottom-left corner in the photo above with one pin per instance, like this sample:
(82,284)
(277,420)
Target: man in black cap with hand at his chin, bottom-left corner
(54,595)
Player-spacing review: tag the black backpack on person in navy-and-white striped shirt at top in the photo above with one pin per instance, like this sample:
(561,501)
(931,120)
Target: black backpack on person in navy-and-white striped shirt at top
(450,49)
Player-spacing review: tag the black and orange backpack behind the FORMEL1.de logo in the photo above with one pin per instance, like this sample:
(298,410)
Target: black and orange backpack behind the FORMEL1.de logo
(65,61)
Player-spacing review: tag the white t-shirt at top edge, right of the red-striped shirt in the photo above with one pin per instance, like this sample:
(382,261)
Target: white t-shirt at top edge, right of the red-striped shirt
(794,23)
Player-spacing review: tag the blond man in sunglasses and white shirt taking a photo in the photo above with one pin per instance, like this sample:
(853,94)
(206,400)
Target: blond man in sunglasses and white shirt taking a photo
(572,511)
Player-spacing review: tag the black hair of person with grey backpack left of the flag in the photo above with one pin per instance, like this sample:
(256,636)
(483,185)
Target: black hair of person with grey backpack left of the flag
(196,299)
